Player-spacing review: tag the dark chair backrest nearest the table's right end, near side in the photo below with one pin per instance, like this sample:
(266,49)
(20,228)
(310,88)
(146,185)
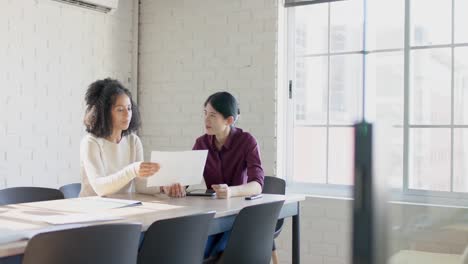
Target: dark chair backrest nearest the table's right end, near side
(251,237)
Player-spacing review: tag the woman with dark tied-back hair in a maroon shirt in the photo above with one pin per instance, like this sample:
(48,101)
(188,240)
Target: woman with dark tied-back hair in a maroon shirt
(233,166)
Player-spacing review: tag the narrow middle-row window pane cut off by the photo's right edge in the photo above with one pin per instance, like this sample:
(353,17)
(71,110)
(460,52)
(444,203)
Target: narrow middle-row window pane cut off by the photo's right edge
(461,86)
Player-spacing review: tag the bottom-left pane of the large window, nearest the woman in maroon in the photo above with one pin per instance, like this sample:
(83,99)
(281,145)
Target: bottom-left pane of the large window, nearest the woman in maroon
(309,155)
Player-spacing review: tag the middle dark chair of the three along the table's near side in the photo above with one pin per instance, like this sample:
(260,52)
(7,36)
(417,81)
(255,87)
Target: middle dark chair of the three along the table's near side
(176,240)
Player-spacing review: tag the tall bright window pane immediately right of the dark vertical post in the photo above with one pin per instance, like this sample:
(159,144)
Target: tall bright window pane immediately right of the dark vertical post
(384,97)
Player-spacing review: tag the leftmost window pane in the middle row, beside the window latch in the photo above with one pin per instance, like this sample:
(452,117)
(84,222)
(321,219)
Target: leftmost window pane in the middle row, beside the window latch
(310,93)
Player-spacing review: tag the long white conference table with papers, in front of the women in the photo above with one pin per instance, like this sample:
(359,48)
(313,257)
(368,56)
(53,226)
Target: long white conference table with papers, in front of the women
(153,208)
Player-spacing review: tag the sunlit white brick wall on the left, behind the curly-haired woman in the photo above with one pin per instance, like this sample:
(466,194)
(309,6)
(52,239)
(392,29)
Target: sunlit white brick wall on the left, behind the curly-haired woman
(49,53)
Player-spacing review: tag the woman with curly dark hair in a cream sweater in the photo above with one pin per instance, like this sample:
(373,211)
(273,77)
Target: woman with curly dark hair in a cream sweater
(111,154)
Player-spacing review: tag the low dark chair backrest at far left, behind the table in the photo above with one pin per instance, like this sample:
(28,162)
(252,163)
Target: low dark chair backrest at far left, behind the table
(28,194)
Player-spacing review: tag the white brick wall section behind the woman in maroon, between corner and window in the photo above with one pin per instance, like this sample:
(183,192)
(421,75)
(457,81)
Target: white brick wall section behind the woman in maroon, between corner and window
(190,49)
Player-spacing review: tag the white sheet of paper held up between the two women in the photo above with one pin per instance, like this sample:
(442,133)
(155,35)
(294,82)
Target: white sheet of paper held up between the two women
(184,167)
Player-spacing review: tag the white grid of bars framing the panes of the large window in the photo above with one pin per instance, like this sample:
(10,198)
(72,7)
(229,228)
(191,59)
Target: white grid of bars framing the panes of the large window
(345,190)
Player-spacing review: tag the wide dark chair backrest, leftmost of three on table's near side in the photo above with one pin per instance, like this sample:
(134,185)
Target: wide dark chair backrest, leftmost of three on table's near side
(103,244)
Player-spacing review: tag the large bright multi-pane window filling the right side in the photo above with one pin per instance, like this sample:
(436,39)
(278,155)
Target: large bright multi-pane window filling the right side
(402,64)
